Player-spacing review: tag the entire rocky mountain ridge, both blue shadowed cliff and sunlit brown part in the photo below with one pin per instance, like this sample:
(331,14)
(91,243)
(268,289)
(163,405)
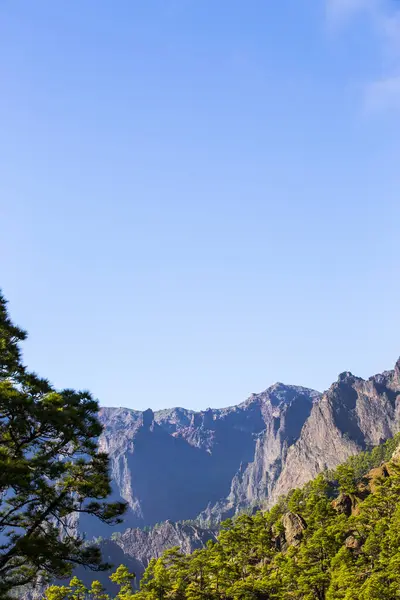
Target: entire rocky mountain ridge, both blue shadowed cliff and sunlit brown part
(177,464)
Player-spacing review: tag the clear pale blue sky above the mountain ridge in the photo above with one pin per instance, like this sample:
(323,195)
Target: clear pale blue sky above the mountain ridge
(201,198)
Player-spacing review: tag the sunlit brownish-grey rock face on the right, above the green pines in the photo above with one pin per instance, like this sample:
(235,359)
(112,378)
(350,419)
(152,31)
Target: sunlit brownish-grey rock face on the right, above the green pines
(354,414)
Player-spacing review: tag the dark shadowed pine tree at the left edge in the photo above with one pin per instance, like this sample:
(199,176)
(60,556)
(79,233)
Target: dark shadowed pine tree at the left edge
(49,469)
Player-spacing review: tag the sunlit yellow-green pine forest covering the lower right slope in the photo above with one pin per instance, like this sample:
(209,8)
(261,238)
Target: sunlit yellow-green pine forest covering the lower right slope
(338,557)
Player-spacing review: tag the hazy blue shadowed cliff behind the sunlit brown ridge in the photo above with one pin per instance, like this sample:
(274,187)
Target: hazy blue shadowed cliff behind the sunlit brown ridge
(176,464)
